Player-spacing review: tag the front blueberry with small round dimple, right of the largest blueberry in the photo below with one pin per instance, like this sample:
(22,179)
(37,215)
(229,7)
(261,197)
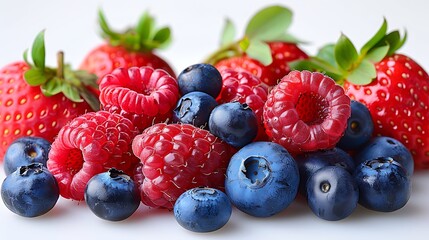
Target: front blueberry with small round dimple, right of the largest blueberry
(332,193)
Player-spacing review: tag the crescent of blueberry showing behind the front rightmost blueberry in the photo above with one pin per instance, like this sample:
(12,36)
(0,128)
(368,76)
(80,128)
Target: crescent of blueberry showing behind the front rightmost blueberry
(386,147)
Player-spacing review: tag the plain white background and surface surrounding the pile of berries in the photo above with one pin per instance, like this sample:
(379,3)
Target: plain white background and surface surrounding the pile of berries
(71,26)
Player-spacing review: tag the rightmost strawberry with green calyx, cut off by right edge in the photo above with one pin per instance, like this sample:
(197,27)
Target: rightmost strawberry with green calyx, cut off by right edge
(393,86)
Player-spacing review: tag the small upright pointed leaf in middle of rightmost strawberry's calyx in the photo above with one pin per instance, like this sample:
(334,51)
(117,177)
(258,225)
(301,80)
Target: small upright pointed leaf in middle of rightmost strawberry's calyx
(345,53)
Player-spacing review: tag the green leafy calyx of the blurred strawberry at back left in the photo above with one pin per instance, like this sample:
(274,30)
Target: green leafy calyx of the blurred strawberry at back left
(144,37)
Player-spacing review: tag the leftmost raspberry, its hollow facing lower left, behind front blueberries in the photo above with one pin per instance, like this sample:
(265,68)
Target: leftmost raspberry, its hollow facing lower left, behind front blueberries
(90,144)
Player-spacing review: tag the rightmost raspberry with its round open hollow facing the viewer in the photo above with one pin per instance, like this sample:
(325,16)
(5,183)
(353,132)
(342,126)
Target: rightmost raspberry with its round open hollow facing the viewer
(306,111)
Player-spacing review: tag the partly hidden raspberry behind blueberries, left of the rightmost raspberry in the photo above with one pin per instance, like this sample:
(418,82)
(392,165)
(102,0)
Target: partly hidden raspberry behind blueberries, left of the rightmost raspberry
(245,87)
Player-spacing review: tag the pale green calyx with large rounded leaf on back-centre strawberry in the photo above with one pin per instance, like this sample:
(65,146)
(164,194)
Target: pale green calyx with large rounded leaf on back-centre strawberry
(268,25)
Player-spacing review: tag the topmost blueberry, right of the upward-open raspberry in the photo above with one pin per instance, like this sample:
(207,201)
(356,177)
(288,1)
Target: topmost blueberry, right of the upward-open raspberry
(200,77)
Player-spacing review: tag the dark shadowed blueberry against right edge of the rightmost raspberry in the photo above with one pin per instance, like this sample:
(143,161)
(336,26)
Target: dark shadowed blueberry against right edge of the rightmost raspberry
(359,127)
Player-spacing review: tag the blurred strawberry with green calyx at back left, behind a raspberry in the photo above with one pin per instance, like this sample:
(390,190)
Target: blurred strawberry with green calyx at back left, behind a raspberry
(133,48)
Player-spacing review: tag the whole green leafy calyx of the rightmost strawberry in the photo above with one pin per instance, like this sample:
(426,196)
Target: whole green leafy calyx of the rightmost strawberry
(342,61)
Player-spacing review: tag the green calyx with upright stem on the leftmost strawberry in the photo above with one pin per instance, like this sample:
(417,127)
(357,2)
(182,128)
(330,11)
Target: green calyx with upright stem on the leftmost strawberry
(75,85)
